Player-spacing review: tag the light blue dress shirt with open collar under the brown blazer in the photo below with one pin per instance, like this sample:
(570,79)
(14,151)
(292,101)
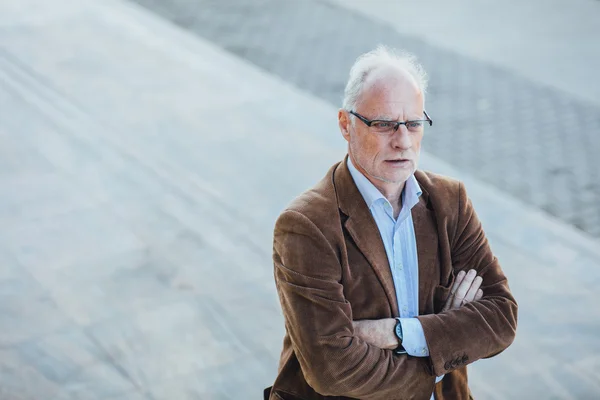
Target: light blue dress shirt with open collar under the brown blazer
(400,244)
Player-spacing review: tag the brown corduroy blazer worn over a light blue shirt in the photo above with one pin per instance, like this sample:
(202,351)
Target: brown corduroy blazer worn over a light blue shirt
(331,268)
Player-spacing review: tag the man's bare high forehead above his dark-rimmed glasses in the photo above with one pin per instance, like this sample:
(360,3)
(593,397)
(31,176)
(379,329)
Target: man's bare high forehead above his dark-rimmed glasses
(391,92)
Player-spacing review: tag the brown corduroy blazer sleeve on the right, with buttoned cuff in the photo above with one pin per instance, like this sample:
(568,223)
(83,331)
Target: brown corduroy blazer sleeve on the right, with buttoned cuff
(479,329)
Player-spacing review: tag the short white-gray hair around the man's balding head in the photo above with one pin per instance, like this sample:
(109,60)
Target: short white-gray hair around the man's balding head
(374,59)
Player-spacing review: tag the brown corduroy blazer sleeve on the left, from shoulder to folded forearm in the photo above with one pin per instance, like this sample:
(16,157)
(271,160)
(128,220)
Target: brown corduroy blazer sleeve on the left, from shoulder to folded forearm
(318,320)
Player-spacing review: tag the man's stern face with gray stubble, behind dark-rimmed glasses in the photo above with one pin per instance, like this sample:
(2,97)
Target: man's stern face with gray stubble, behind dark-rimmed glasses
(390,160)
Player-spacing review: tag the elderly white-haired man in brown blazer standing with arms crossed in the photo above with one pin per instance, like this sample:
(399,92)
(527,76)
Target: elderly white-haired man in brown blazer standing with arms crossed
(387,282)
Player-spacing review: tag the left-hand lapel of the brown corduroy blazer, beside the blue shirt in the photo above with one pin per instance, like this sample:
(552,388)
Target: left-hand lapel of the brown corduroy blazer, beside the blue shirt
(362,228)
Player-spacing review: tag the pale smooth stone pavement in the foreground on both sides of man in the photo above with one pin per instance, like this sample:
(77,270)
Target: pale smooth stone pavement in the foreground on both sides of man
(136,226)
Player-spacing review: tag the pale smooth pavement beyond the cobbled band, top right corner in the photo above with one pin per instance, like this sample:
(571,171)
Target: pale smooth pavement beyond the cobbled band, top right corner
(535,42)
